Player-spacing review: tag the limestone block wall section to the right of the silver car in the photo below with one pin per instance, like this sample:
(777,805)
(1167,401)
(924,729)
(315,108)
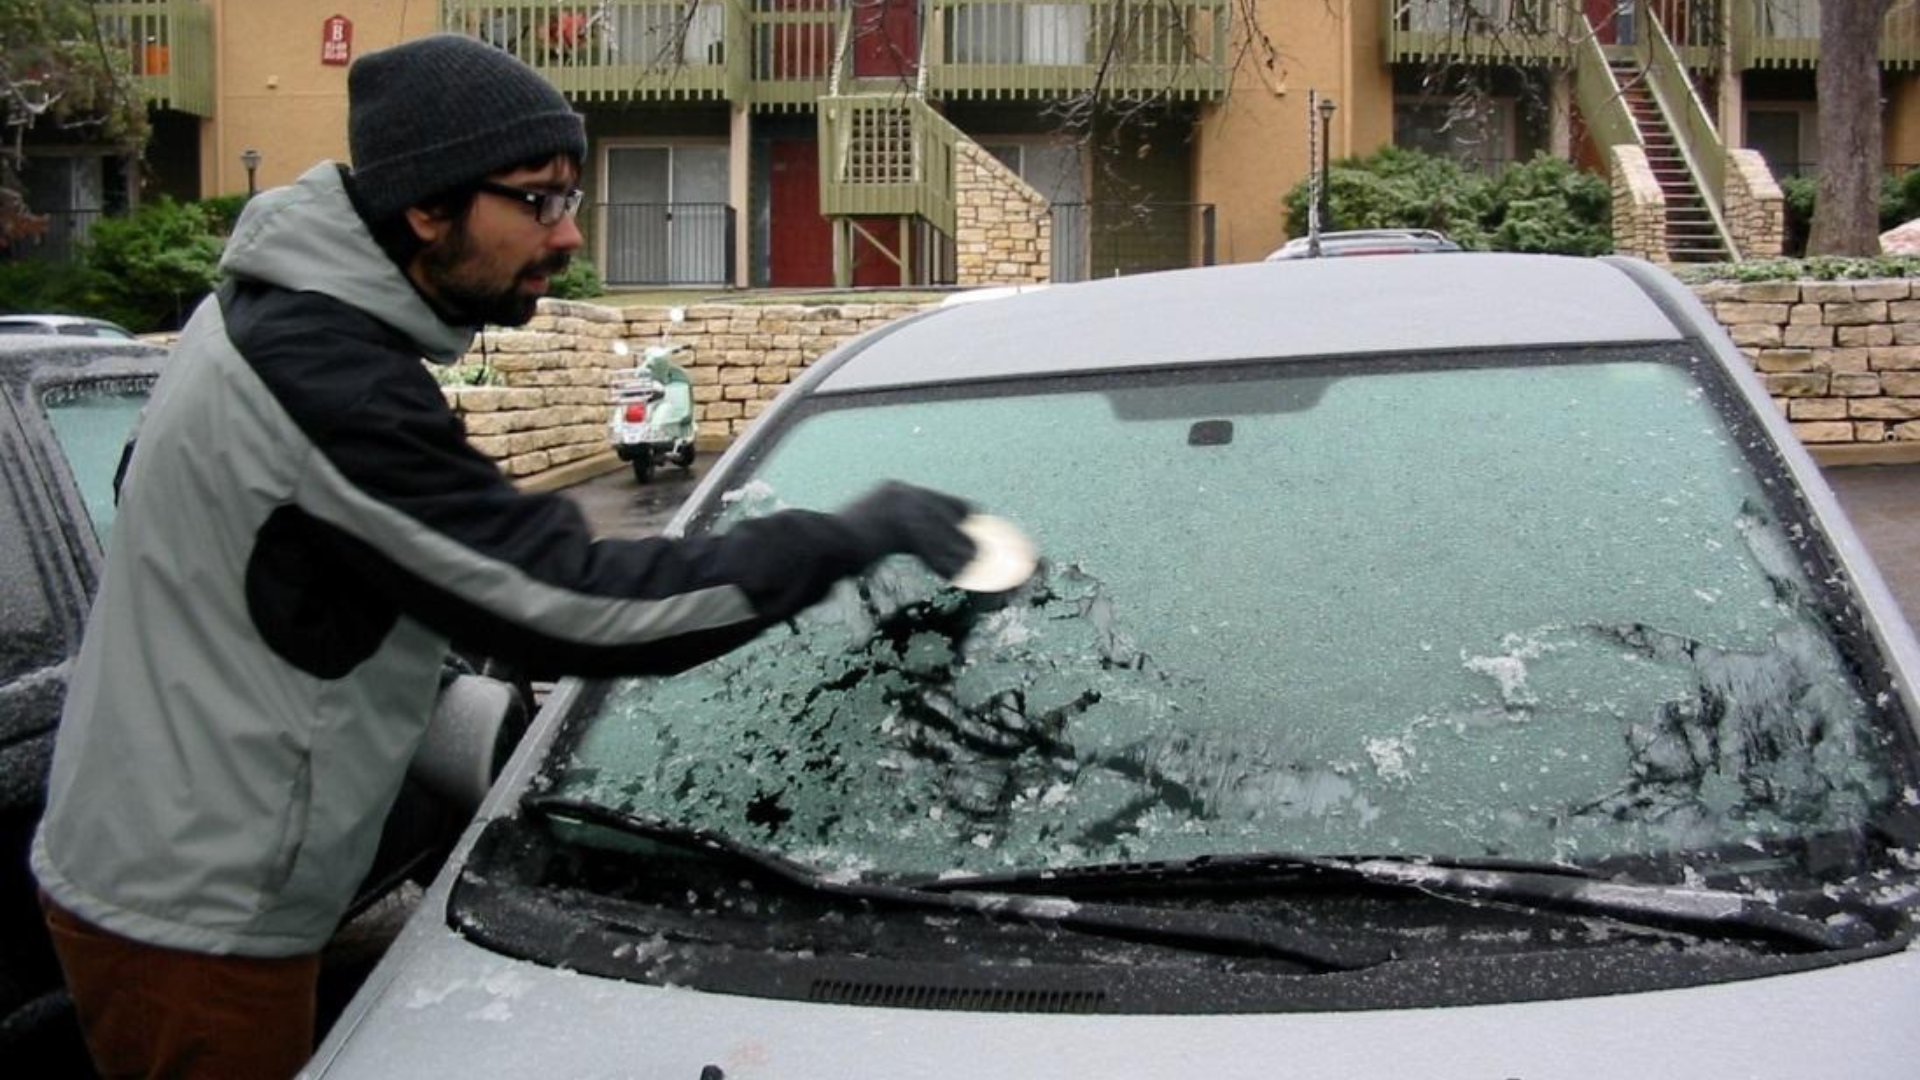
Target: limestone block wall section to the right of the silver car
(1842,360)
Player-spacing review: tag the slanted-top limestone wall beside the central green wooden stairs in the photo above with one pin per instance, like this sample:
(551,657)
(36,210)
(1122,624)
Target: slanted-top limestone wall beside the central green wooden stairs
(1003,232)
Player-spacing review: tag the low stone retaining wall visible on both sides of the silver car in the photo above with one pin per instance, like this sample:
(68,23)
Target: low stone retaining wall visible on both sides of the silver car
(1842,362)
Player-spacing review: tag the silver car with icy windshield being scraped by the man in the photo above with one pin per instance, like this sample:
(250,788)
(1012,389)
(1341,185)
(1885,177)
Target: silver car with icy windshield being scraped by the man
(1452,675)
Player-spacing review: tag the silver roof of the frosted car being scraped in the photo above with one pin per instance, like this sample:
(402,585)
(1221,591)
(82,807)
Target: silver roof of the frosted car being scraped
(1307,308)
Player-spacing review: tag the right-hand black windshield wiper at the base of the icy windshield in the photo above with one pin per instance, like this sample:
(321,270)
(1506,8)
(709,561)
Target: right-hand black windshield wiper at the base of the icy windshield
(1479,881)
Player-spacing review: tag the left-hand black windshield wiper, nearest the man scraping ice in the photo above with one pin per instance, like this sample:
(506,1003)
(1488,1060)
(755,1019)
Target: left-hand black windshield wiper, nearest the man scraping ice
(1201,931)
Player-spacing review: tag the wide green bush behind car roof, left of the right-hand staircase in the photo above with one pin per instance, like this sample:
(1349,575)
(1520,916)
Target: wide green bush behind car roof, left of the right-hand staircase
(1541,207)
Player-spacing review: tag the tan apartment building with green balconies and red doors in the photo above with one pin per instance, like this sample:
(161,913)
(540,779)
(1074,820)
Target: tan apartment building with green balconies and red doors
(804,143)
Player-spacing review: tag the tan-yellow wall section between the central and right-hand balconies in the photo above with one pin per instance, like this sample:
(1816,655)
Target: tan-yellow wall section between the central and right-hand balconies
(1255,145)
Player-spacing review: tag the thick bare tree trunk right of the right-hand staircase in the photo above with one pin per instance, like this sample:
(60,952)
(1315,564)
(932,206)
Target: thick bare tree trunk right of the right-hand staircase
(1846,218)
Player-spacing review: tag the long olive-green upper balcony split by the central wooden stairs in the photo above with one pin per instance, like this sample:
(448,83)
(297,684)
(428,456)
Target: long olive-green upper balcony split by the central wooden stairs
(780,55)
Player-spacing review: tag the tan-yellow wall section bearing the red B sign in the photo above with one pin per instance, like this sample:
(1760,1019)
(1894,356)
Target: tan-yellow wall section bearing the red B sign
(274,93)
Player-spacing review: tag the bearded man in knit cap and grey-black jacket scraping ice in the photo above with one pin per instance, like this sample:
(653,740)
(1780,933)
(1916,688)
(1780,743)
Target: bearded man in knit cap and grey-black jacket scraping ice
(304,528)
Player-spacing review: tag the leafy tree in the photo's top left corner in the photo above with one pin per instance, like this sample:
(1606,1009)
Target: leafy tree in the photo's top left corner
(59,78)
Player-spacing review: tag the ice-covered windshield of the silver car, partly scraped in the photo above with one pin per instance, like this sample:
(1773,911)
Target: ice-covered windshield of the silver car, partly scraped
(1535,610)
